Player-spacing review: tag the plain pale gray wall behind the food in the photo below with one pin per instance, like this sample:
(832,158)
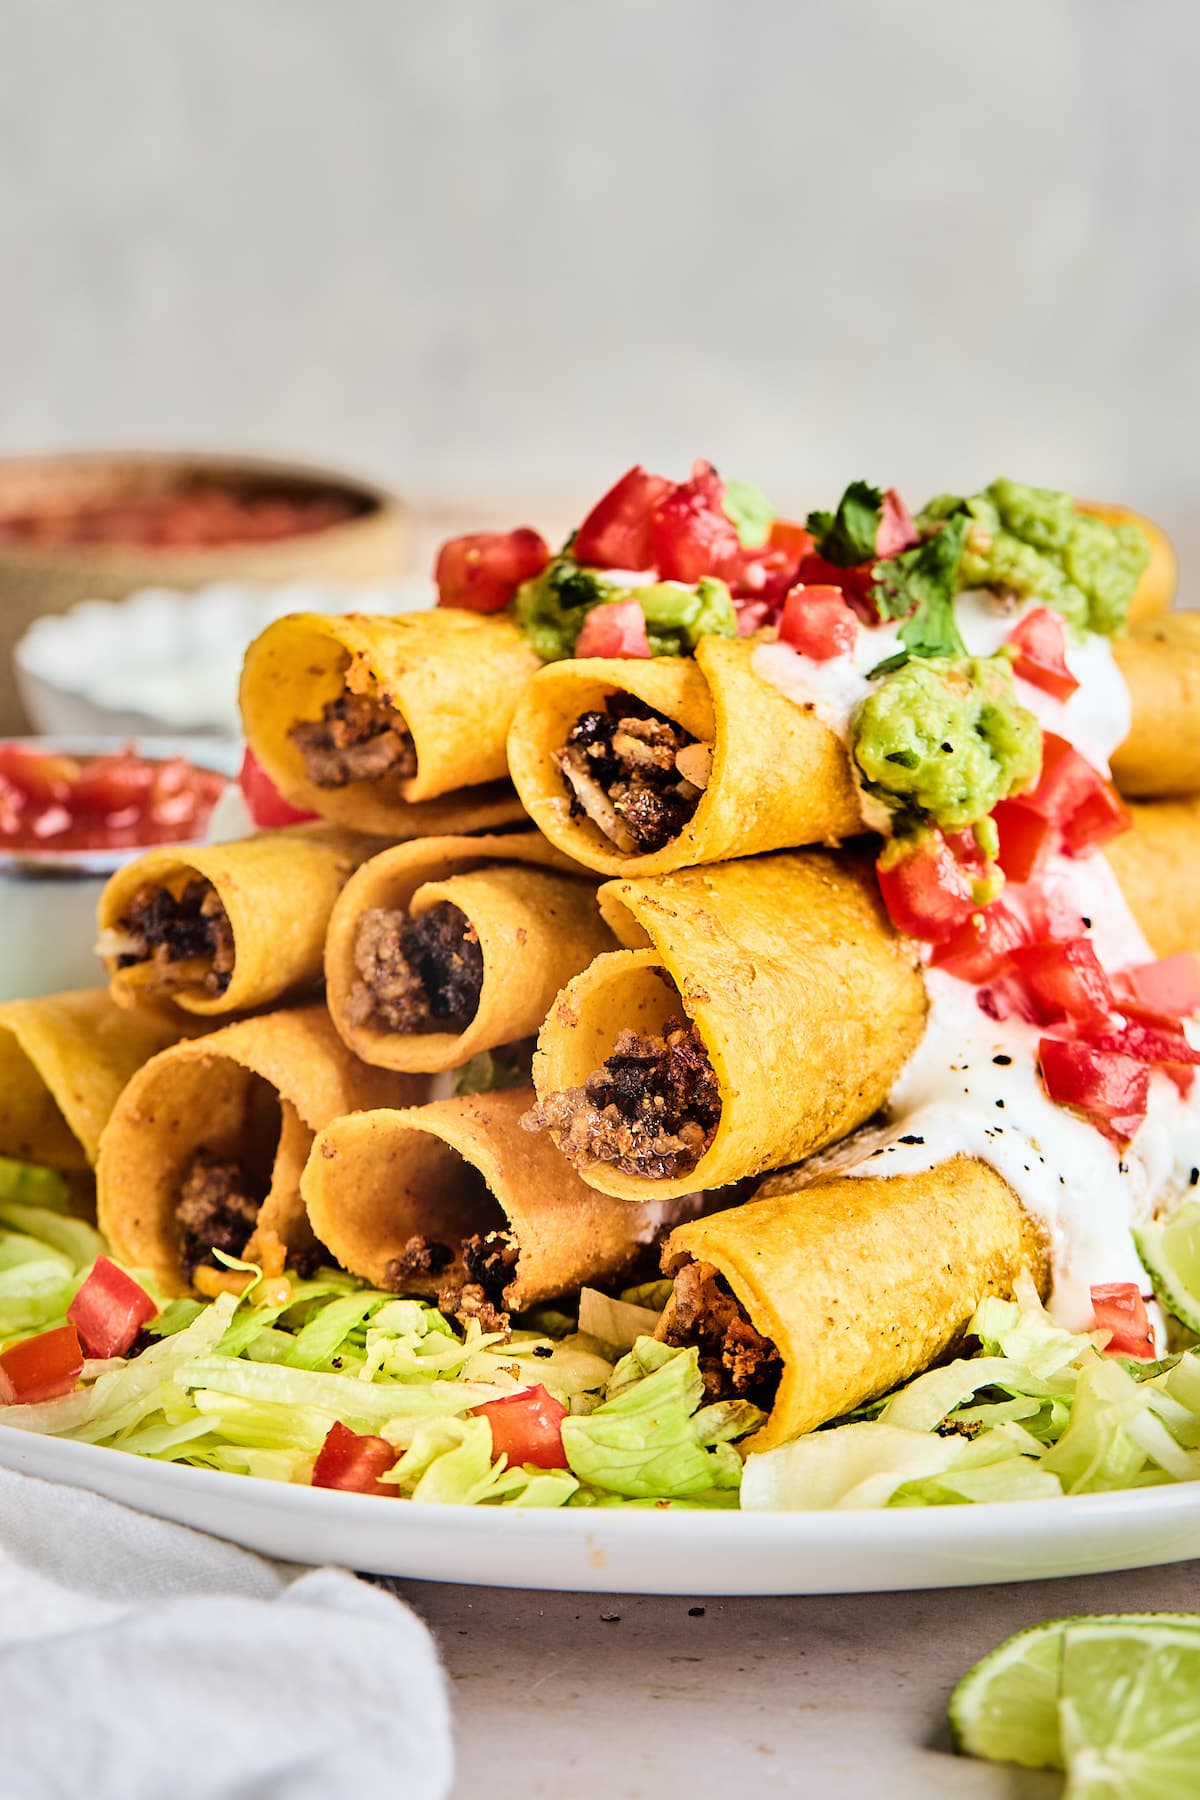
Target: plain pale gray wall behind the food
(506,249)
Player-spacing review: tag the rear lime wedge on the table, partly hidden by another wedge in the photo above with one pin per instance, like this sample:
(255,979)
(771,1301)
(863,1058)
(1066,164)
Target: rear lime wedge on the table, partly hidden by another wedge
(1008,1705)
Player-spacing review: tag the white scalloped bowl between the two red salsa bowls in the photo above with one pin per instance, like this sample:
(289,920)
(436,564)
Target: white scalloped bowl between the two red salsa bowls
(165,660)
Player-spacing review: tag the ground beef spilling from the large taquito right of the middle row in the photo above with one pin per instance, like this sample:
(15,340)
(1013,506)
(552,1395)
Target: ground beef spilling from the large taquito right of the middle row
(652,1110)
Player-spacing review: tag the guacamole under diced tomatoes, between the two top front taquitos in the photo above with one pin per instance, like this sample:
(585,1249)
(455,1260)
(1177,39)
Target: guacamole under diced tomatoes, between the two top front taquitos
(551,609)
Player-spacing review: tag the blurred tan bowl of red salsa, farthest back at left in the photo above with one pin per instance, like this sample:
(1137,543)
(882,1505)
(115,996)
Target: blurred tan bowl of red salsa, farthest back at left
(107,525)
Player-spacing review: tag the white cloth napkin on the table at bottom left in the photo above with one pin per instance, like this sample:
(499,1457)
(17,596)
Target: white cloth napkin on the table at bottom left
(141,1659)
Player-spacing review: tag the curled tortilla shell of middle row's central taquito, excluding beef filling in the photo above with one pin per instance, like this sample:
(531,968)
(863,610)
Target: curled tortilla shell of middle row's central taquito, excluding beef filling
(537,922)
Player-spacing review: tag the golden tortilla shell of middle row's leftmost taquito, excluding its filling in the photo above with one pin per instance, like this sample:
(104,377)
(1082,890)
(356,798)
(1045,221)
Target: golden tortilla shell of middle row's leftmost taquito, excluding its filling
(278,892)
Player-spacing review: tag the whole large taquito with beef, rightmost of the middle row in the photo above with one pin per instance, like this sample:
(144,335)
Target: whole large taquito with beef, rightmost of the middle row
(762,1011)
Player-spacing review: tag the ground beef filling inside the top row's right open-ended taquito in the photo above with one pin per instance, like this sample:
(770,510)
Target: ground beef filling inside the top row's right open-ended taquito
(634,773)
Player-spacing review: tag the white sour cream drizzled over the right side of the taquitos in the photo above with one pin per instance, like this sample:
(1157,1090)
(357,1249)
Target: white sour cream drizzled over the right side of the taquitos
(972,1086)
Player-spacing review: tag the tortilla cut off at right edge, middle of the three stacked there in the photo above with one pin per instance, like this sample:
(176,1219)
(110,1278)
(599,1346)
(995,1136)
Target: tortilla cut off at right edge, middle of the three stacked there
(1161,665)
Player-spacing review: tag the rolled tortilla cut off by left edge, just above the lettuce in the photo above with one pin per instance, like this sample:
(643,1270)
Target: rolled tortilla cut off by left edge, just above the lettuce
(64,1063)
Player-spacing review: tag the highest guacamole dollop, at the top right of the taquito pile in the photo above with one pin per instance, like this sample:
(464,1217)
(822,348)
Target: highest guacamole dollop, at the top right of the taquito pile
(1035,543)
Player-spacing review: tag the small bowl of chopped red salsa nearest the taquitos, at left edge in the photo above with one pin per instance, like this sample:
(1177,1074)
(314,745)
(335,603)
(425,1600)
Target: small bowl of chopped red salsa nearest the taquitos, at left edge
(71,813)
